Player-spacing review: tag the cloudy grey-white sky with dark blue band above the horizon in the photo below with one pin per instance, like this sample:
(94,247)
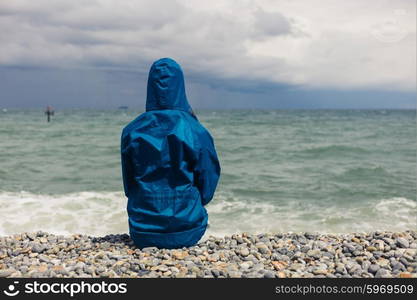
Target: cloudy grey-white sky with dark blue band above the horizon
(235,54)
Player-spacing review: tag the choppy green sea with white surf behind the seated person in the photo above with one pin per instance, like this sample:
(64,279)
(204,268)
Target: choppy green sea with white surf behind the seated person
(327,171)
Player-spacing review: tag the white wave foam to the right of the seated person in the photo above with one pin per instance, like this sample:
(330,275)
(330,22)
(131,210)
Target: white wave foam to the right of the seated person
(228,216)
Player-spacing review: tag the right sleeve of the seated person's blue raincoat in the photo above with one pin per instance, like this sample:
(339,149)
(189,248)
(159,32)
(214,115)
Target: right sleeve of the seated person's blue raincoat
(207,172)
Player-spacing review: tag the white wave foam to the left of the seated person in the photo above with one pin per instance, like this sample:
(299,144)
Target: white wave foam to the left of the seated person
(90,213)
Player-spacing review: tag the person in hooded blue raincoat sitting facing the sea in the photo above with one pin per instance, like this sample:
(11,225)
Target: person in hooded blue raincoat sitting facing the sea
(169,164)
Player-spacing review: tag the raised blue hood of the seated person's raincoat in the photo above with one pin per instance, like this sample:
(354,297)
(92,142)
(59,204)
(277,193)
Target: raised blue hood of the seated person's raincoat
(166,89)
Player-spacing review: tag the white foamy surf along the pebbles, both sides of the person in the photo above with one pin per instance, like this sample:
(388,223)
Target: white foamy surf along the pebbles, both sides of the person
(101,213)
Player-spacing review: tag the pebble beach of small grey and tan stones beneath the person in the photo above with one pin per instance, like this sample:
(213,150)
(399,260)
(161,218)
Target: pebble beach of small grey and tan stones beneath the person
(379,254)
